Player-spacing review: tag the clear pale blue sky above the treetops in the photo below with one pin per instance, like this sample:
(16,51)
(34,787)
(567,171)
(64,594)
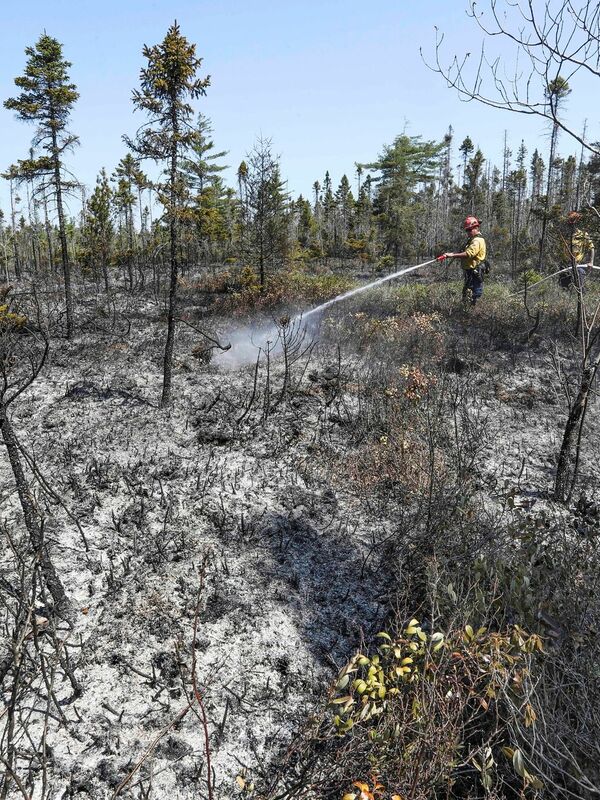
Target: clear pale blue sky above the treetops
(328,82)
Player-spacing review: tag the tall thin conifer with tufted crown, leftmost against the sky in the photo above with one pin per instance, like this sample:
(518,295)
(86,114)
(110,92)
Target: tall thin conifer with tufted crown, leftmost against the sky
(46,100)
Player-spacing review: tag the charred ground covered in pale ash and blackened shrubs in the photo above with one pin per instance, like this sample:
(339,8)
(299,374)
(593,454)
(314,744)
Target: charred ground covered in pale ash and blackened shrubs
(240,545)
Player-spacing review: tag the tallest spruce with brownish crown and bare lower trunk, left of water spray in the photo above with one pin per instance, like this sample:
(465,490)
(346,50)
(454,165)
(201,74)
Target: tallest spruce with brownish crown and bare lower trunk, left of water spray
(167,85)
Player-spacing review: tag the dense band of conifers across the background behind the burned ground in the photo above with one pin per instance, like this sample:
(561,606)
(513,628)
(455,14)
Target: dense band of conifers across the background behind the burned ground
(407,203)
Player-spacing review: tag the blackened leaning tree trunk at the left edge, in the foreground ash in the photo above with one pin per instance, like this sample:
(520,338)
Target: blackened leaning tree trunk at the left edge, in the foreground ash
(32,521)
